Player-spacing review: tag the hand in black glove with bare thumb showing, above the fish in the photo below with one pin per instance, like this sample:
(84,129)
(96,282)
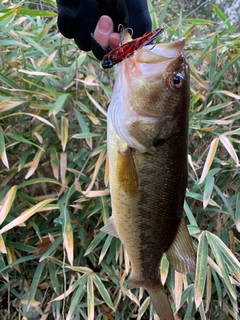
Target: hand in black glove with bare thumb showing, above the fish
(79,18)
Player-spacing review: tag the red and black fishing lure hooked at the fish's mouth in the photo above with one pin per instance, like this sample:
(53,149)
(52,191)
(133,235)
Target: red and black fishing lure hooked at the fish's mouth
(128,49)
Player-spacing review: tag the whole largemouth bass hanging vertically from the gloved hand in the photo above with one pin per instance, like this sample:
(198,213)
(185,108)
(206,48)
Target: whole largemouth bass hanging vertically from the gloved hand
(147,149)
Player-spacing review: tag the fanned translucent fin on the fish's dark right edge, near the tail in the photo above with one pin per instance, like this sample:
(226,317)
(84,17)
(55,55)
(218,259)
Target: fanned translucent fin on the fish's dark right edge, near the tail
(181,254)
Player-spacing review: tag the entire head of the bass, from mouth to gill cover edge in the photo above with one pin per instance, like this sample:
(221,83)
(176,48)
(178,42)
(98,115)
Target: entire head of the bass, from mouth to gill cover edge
(151,95)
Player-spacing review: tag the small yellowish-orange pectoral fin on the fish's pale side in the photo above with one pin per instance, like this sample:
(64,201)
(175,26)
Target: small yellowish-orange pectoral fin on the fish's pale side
(126,172)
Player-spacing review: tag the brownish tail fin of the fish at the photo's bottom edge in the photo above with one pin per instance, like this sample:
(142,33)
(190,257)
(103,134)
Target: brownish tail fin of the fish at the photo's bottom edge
(160,303)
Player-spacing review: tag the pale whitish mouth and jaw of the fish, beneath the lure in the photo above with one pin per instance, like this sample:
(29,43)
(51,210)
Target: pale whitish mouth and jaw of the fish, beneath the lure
(156,58)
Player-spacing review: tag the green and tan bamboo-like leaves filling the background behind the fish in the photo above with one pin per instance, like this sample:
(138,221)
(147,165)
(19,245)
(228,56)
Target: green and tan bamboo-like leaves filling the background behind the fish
(54,195)
